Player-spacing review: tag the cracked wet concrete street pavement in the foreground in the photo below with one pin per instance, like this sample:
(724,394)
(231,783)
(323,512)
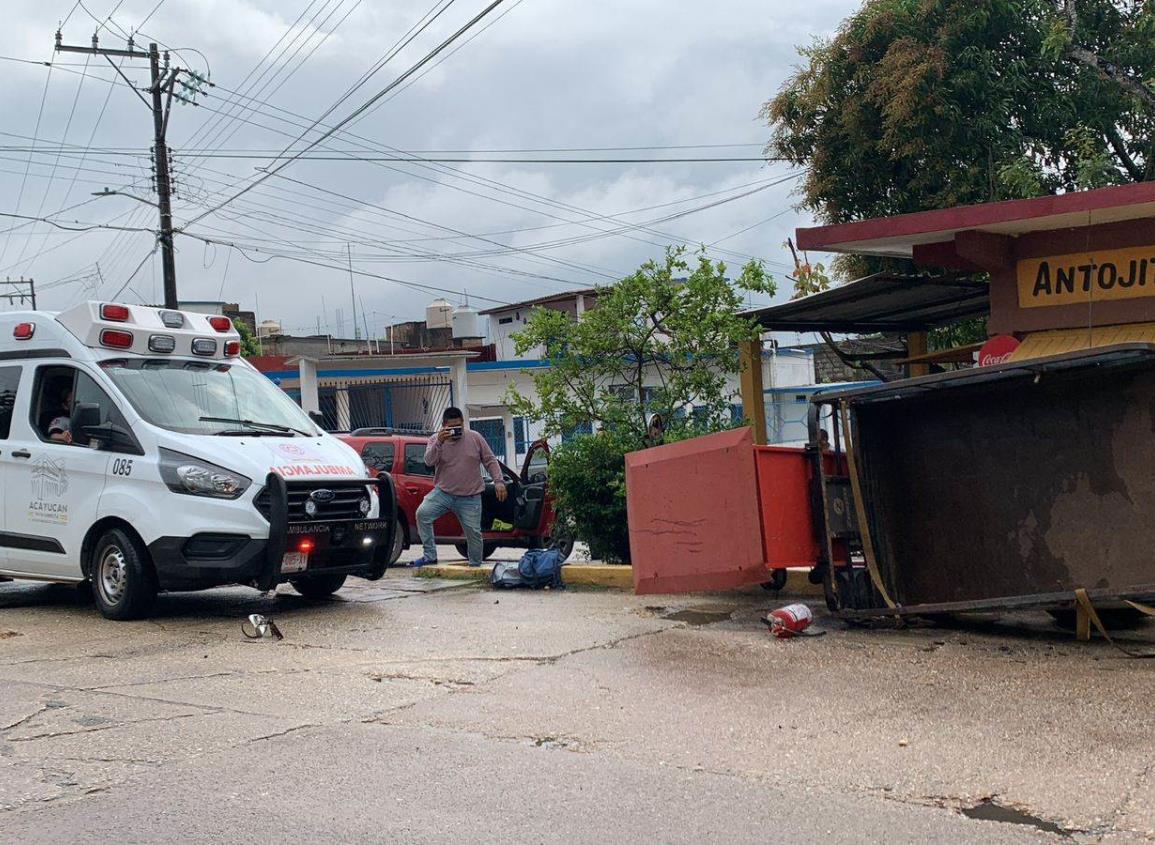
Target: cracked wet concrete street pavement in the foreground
(416,709)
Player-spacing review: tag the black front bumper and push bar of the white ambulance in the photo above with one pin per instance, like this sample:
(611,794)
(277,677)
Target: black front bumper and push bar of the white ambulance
(207,560)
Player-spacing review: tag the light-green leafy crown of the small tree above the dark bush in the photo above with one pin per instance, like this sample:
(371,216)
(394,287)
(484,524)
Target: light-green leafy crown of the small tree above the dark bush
(661,341)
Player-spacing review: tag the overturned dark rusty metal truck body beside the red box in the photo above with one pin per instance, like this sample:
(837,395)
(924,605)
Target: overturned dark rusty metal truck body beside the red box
(995,488)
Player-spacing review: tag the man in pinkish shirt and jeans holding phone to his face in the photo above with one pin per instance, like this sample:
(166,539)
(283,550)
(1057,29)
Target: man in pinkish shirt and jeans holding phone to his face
(457,457)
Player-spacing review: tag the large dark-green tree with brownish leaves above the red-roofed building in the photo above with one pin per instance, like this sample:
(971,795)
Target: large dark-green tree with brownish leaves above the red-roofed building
(925,104)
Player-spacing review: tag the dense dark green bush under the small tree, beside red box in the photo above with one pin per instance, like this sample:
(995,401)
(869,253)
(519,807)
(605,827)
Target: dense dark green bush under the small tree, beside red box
(588,481)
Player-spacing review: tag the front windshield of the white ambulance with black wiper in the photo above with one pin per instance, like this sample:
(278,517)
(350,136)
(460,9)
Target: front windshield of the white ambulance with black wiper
(204,398)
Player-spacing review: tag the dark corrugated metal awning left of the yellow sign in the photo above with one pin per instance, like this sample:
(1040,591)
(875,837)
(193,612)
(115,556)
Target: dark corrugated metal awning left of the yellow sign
(881,303)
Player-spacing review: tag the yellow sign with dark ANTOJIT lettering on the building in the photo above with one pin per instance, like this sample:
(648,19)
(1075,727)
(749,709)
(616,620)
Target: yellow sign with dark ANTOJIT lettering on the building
(1087,278)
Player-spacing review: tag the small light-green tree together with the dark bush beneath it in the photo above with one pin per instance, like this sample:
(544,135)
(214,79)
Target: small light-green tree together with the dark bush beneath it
(661,341)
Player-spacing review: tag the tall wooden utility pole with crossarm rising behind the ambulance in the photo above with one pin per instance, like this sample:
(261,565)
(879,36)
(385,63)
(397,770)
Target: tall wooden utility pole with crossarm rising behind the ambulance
(163,81)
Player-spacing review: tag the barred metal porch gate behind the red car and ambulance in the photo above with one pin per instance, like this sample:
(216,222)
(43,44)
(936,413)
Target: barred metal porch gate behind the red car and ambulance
(413,406)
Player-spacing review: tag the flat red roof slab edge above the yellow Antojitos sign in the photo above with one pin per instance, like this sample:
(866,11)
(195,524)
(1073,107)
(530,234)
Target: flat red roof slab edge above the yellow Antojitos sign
(900,235)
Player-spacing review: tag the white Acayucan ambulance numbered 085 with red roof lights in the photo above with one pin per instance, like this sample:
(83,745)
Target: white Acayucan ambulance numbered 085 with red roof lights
(139,453)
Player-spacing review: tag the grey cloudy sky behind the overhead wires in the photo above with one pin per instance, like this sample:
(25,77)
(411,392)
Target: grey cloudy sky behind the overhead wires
(536,76)
